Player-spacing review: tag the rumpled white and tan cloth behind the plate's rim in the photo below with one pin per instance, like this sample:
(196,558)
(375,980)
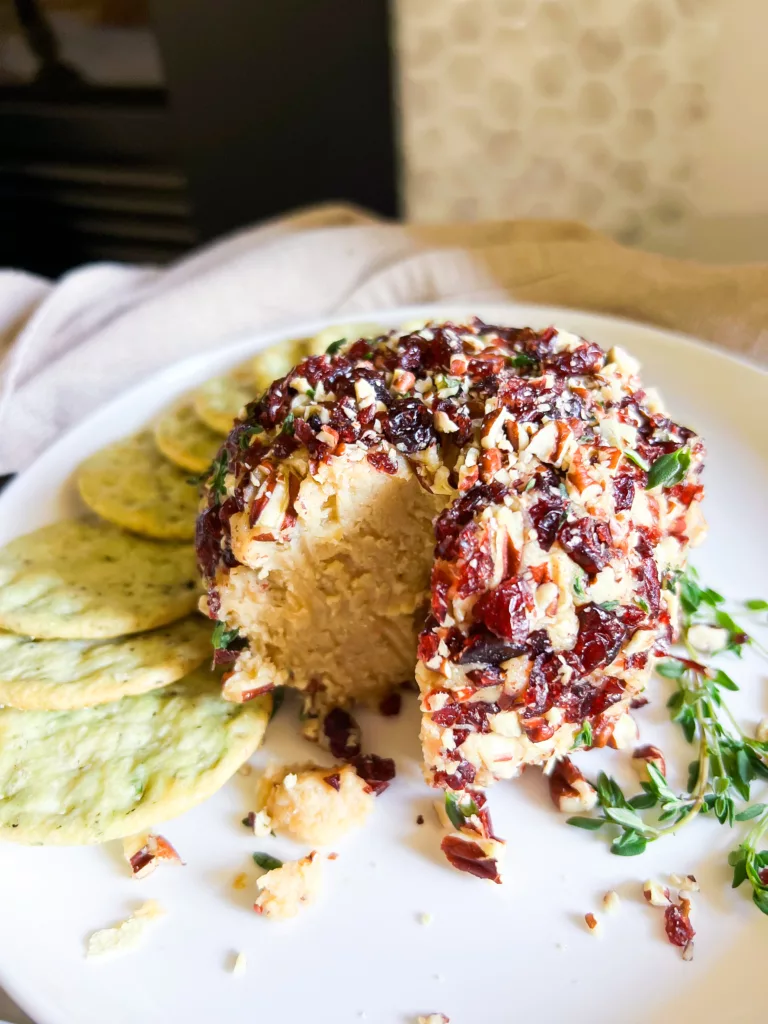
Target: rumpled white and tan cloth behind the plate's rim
(68,347)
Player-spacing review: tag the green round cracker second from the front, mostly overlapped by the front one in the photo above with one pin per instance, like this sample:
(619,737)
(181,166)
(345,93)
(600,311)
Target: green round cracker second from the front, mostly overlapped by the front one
(61,675)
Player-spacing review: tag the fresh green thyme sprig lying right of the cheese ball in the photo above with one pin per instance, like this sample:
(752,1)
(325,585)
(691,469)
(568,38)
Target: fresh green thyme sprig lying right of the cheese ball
(729,761)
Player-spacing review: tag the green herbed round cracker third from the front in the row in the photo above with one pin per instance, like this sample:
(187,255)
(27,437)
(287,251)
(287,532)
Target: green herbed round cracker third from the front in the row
(87,581)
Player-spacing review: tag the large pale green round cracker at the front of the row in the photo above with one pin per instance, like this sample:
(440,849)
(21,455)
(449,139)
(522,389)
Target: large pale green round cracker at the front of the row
(120,769)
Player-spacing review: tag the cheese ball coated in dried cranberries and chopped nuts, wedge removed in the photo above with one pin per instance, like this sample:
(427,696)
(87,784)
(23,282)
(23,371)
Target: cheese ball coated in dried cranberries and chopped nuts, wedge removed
(507,509)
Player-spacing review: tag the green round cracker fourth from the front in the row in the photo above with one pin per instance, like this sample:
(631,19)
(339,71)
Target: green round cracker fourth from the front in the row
(132,485)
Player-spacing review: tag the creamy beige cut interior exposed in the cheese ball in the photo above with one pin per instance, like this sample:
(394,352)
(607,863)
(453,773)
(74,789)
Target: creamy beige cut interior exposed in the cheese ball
(336,610)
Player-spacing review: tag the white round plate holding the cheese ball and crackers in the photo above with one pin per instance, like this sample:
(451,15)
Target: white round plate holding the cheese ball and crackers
(492,955)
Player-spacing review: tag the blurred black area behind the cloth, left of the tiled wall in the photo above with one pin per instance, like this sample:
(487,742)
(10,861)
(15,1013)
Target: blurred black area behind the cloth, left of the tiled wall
(227,113)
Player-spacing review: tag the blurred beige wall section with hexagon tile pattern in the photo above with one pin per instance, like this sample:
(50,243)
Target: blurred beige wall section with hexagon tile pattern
(587,109)
